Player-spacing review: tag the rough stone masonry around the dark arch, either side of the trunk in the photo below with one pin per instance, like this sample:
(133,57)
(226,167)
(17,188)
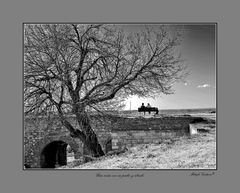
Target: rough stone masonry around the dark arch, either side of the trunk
(41,131)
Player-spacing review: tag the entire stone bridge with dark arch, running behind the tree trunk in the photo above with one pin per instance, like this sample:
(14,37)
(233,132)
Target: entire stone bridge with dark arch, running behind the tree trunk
(46,141)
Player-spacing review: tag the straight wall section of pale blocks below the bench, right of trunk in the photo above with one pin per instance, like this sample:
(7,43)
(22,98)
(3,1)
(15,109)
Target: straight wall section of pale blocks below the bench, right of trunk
(130,132)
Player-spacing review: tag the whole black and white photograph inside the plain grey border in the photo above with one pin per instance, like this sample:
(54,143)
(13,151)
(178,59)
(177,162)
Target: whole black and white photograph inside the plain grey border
(119,96)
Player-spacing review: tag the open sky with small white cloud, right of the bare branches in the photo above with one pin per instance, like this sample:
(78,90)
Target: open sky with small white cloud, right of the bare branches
(199,88)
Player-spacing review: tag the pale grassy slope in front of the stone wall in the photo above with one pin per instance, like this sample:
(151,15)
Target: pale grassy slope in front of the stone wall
(187,152)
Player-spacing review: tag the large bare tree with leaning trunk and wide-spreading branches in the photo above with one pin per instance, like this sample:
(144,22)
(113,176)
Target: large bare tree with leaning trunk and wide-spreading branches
(77,68)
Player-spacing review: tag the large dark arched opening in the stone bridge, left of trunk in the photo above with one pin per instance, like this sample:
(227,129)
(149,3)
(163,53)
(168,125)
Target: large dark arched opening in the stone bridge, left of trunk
(55,153)
